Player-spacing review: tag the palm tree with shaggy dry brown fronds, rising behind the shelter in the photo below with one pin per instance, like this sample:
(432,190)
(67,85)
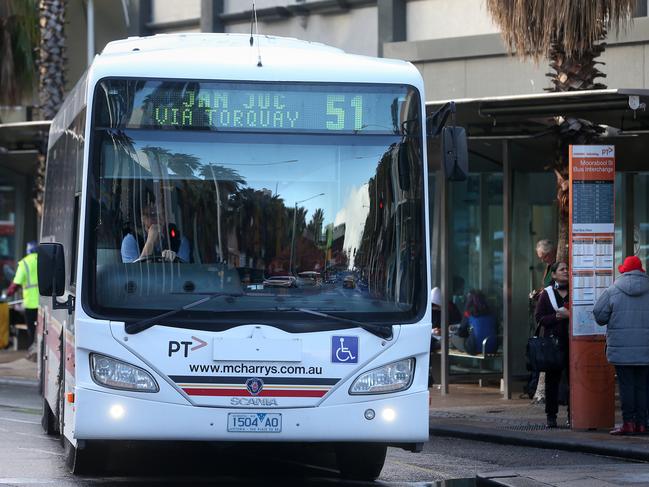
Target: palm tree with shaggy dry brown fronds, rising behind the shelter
(568,33)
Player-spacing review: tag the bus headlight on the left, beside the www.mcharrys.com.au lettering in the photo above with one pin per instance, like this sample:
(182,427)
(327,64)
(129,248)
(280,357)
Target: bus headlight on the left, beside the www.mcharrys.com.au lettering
(113,373)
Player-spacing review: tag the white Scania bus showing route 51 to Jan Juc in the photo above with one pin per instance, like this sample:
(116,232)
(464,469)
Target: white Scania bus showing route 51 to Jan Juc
(192,181)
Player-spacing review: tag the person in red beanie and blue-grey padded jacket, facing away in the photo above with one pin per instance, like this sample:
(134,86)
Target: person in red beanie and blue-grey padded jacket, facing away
(624,309)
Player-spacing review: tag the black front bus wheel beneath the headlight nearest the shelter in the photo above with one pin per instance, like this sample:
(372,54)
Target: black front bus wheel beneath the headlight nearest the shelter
(360,461)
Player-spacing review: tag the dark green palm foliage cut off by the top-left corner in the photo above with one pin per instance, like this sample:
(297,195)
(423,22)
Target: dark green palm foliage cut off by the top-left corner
(18,41)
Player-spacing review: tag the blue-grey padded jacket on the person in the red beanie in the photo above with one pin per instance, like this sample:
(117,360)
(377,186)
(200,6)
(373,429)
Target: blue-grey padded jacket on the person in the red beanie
(624,307)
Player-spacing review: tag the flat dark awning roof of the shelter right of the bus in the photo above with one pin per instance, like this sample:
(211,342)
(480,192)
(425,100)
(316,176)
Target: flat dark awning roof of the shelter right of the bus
(528,122)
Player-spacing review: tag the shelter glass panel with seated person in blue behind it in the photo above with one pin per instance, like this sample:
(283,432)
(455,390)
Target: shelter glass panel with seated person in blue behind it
(476,250)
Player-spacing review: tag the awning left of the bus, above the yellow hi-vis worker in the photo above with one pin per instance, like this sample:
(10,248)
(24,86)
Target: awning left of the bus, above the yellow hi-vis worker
(20,144)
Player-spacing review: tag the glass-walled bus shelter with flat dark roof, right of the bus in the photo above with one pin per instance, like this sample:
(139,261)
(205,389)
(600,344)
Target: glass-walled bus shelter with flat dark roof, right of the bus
(484,229)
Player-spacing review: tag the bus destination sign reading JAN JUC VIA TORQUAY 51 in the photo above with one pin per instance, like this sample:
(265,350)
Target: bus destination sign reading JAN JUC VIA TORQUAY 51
(271,107)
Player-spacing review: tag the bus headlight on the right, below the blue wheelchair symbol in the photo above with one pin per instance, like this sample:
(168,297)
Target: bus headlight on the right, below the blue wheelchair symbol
(393,377)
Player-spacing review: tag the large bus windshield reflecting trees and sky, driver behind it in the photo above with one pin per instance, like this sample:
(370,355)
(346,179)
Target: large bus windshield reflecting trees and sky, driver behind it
(273,197)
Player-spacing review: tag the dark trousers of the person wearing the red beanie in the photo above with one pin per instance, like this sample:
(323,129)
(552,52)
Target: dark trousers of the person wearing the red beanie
(632,381)
